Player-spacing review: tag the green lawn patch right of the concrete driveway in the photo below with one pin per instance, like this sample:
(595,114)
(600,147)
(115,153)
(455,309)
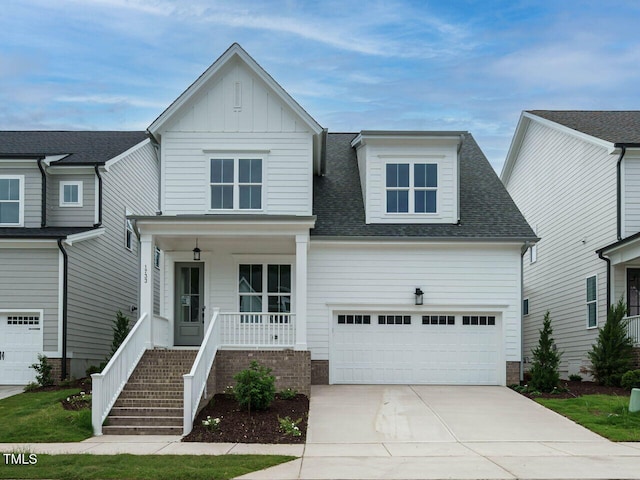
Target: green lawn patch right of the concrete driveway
(606,415)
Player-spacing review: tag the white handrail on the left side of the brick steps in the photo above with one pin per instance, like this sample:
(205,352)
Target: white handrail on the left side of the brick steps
(106,386)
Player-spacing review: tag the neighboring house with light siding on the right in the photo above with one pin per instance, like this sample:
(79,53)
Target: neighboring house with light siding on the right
(575,175)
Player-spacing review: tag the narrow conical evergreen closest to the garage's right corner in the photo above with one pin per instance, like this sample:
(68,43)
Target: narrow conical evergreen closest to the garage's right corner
(546,360)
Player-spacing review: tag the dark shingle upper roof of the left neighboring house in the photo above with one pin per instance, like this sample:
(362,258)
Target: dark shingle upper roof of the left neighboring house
(82,147)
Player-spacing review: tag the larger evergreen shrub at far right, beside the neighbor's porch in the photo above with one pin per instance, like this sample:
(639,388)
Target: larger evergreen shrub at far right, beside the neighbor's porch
(611,355)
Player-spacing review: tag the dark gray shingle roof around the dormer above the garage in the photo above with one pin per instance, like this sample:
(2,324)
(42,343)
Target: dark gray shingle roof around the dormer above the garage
(487,210)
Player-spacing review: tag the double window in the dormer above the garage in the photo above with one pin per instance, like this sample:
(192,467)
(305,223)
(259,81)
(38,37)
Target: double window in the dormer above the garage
(411,187)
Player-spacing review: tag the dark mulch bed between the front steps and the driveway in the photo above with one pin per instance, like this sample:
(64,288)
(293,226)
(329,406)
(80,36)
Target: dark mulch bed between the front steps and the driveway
(238,426)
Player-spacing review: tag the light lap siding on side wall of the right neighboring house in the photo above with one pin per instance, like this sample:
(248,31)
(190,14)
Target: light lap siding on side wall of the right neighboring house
(566,189)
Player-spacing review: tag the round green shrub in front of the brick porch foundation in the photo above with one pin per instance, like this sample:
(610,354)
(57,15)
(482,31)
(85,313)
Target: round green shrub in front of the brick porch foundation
(255,387)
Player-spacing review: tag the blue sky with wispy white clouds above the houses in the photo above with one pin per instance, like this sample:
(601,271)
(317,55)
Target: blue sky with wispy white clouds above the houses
(353,65)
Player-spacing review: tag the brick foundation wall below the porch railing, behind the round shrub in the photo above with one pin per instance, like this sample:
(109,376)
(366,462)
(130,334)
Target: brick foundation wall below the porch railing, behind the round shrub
(292,369)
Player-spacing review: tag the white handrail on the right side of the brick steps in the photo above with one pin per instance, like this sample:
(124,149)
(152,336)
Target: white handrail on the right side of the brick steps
(195,382)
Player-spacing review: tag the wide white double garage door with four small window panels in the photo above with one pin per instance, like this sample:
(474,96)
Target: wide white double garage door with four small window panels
(438,349)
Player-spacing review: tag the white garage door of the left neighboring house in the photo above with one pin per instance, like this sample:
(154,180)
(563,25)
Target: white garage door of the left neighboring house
(20,343)
